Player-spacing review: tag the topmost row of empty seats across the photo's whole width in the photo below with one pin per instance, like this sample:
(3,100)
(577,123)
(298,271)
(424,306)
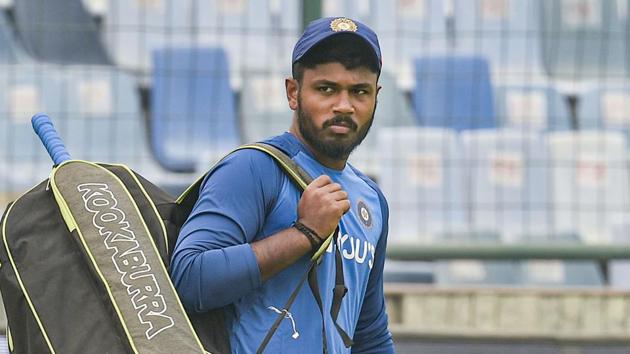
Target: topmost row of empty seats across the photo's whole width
(522,39)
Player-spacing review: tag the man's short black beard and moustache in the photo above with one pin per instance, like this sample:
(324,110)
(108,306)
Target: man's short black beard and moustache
(334,147)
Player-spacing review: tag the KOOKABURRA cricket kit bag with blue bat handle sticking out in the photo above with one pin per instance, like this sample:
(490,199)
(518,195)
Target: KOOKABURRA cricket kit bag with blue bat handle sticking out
(84,259)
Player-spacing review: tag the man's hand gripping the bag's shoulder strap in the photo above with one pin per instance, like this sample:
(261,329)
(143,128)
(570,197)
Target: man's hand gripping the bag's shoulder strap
(322,205)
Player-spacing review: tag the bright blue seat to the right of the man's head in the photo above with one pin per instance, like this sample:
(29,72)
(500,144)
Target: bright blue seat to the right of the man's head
(454,92)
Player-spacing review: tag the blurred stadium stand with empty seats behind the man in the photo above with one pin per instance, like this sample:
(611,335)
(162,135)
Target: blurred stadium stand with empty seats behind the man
(500,140)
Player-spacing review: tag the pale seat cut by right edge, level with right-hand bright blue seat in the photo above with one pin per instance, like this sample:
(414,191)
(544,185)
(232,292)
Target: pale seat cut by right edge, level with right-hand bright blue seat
(605,107)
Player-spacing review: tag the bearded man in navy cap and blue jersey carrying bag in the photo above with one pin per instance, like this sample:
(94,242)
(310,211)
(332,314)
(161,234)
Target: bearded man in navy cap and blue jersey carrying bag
(251,234)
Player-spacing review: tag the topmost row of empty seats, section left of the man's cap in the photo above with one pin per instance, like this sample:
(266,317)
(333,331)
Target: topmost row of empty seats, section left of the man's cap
(257,35)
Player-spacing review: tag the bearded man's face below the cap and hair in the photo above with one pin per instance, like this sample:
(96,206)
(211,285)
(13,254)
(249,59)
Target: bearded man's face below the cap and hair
(335,108)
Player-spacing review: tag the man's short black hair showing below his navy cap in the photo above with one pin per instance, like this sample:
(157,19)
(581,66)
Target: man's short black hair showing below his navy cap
(344,48)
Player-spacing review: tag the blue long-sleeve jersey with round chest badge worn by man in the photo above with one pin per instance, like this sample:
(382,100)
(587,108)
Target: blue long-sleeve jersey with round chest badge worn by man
(247,197)
